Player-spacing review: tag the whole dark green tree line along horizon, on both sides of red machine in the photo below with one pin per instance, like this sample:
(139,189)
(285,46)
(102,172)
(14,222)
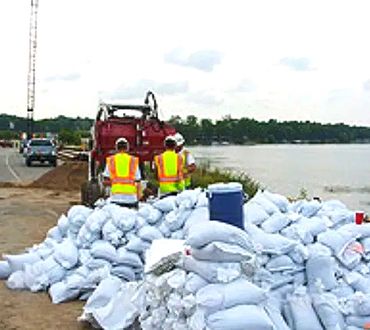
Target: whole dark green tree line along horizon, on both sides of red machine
(205,131)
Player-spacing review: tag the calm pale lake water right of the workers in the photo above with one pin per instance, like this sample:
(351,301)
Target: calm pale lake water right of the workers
(328,171)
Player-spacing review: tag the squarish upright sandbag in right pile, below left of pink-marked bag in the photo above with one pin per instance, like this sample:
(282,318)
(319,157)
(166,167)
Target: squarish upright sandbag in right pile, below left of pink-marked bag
(323,268)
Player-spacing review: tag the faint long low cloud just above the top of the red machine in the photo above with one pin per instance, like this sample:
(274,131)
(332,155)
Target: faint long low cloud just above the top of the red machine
(139,89)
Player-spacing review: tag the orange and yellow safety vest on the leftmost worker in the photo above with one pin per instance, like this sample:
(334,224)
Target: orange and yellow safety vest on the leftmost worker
(122,170)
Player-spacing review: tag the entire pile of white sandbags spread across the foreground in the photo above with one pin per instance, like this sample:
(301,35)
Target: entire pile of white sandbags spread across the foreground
(298,265)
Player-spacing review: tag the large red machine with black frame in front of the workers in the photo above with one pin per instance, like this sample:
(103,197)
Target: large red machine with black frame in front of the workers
(139,124)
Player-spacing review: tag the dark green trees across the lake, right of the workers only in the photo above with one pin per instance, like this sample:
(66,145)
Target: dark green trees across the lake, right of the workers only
(247,130)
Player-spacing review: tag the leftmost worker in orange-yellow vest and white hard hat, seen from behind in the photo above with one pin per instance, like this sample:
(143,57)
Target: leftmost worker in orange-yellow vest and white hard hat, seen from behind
(122,174)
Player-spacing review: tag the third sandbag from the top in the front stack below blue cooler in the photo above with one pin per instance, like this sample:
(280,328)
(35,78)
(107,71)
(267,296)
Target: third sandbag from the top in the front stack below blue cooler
(212,272)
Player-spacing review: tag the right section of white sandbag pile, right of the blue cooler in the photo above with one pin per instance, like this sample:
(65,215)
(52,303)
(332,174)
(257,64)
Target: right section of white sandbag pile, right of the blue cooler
(313,259)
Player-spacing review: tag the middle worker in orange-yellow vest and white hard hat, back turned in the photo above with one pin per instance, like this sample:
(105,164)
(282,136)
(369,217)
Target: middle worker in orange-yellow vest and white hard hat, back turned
(169,169)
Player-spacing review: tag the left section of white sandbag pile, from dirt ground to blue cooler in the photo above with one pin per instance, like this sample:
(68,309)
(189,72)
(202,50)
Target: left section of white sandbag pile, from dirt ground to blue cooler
(88,245)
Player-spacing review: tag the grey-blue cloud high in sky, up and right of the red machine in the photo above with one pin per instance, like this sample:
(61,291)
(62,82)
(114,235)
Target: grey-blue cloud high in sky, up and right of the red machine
(204,60)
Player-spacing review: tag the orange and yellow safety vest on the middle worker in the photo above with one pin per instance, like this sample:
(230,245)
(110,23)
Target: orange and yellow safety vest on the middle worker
(170,171)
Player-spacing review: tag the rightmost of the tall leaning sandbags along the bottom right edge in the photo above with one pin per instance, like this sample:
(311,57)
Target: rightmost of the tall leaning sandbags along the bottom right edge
(327,308)
